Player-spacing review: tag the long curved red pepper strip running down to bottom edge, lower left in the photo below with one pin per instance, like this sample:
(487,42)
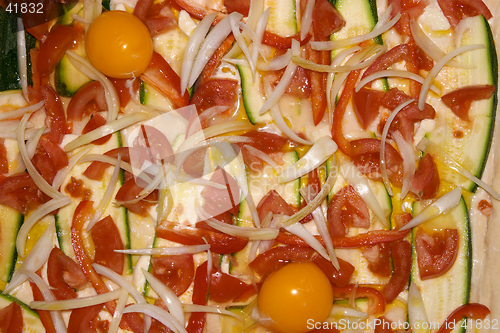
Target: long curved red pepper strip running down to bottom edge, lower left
(83,213)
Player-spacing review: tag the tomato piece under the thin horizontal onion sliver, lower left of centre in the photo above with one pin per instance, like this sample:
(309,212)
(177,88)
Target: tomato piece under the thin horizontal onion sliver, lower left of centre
(176,272)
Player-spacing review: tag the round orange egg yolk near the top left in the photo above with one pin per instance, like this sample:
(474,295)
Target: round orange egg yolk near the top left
(119,45)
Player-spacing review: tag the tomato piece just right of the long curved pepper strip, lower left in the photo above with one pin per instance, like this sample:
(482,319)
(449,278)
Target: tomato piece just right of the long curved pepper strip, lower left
(107,239)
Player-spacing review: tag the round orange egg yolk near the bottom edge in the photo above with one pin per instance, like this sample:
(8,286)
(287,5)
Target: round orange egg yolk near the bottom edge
(295,297)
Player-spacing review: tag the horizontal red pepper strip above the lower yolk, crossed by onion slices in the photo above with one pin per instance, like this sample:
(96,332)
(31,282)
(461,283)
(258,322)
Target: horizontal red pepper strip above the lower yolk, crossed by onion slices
(369,238)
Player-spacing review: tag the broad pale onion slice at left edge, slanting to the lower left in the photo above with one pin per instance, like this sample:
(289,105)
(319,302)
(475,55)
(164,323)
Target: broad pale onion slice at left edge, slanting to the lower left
(38,256)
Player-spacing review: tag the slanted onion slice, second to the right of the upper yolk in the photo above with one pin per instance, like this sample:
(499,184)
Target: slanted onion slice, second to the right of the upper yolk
(213,40)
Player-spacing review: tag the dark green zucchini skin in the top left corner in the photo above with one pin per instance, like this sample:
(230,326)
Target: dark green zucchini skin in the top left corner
(9,69)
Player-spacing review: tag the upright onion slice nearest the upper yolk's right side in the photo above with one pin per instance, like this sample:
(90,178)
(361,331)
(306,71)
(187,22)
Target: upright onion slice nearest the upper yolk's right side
(193,47)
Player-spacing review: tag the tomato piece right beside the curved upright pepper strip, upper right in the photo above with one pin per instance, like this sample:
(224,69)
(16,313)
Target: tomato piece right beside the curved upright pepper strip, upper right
(366,103)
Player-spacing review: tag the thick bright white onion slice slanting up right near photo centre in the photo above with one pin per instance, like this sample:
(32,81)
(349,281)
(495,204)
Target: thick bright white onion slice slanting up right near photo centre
(317,155)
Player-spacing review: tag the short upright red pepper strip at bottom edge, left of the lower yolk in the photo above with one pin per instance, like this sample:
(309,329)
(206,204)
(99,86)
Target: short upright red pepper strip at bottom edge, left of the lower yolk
(200,296)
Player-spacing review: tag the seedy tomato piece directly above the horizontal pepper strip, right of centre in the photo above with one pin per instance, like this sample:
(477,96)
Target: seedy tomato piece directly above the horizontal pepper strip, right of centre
(347,209)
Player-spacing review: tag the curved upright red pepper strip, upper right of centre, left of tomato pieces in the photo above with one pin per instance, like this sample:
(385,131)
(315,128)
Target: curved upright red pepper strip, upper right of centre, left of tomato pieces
(340,109)
